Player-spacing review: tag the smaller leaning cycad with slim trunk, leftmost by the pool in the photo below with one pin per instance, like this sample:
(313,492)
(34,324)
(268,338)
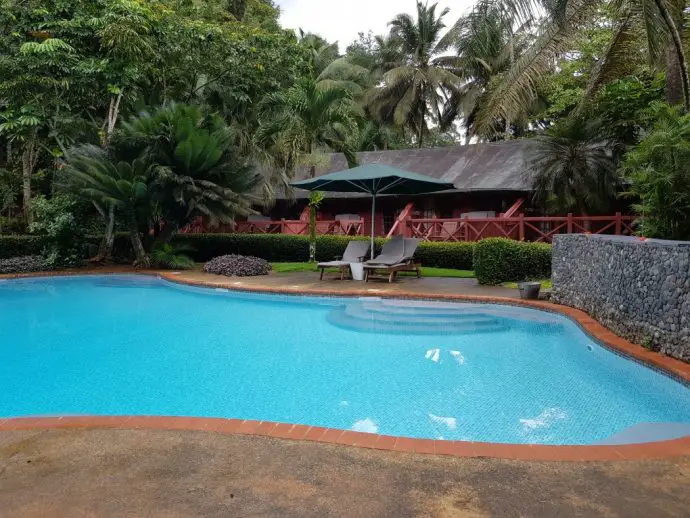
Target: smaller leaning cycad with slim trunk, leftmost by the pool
(92,174)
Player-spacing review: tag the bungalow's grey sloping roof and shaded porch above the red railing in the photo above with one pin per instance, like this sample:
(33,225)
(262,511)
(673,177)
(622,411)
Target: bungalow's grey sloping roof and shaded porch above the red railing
(488,178)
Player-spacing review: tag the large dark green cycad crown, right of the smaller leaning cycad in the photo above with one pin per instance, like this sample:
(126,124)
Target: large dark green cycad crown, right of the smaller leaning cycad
(196,171)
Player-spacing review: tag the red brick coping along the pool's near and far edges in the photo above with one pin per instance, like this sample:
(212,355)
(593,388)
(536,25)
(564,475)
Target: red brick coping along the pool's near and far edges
(652,450)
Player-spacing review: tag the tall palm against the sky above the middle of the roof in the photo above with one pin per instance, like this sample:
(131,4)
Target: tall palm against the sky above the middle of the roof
(416,86)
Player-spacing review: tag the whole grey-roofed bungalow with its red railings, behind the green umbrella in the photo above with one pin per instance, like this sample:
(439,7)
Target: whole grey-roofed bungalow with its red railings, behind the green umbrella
(491,198)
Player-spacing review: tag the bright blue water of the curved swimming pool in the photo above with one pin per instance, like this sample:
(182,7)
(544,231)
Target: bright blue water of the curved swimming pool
(139,345)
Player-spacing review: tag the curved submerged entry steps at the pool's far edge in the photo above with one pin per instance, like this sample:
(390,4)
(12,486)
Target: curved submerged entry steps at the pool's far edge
(383,316)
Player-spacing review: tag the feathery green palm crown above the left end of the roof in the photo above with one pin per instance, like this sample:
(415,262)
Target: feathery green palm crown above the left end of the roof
(308,117)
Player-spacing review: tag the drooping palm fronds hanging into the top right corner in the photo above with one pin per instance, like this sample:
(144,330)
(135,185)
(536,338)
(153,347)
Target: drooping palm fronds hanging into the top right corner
(658,21)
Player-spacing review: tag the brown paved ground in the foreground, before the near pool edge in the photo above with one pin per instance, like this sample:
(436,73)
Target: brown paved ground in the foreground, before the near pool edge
(122,473)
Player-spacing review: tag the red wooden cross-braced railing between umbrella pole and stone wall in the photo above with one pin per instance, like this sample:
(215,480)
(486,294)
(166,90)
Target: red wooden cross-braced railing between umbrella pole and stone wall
(539,229)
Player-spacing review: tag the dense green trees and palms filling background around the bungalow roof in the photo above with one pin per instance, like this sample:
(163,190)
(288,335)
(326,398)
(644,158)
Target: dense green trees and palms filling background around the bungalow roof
(140,116)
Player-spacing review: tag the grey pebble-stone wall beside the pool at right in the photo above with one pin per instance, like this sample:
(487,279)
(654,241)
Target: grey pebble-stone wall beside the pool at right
(638,289)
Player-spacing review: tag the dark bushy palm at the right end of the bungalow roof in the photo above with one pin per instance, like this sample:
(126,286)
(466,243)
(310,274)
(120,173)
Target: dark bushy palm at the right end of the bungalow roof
(573,167)
